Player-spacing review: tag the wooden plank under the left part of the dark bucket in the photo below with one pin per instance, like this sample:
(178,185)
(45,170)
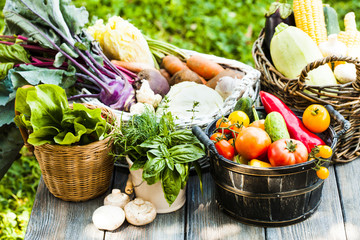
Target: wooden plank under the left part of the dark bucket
(207,221)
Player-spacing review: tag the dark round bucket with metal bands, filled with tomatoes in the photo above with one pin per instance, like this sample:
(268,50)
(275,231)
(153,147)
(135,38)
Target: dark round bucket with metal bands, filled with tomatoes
(273,197)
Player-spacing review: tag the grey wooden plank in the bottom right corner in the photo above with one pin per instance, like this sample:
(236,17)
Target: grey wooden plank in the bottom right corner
(348,176)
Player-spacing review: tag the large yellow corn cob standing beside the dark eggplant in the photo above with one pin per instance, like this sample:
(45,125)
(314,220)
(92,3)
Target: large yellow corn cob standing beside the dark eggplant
(309,17)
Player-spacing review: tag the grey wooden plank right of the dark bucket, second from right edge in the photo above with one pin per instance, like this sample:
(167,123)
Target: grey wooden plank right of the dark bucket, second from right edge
(325,223)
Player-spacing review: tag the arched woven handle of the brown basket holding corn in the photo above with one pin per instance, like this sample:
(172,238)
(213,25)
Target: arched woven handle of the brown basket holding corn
(323,61)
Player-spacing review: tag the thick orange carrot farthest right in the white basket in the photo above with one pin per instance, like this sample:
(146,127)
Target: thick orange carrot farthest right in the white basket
(204,67)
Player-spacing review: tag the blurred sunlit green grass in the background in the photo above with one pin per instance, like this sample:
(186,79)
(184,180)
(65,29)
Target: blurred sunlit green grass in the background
(221,27)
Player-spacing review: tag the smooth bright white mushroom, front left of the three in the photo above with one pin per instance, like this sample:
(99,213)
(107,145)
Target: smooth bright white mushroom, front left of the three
(108,217)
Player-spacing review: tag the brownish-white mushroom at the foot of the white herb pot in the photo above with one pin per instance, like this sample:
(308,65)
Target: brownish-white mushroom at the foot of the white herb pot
(139,212)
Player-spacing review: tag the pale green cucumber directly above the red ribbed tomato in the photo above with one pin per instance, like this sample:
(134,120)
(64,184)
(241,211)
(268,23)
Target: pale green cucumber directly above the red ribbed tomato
(275,126)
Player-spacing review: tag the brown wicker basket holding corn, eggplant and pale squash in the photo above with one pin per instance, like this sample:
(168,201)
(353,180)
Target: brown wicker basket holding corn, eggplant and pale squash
(345,98)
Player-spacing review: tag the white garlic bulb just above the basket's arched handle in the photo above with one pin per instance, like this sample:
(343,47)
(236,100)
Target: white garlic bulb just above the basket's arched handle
(333,47)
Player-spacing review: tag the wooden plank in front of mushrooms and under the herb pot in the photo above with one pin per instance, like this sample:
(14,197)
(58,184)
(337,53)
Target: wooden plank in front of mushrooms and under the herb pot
(165,226)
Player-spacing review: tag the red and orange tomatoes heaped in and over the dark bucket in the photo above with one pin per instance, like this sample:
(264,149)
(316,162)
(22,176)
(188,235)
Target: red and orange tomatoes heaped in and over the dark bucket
(245,142)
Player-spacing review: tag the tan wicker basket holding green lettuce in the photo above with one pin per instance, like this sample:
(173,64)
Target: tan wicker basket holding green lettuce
(76,173)
